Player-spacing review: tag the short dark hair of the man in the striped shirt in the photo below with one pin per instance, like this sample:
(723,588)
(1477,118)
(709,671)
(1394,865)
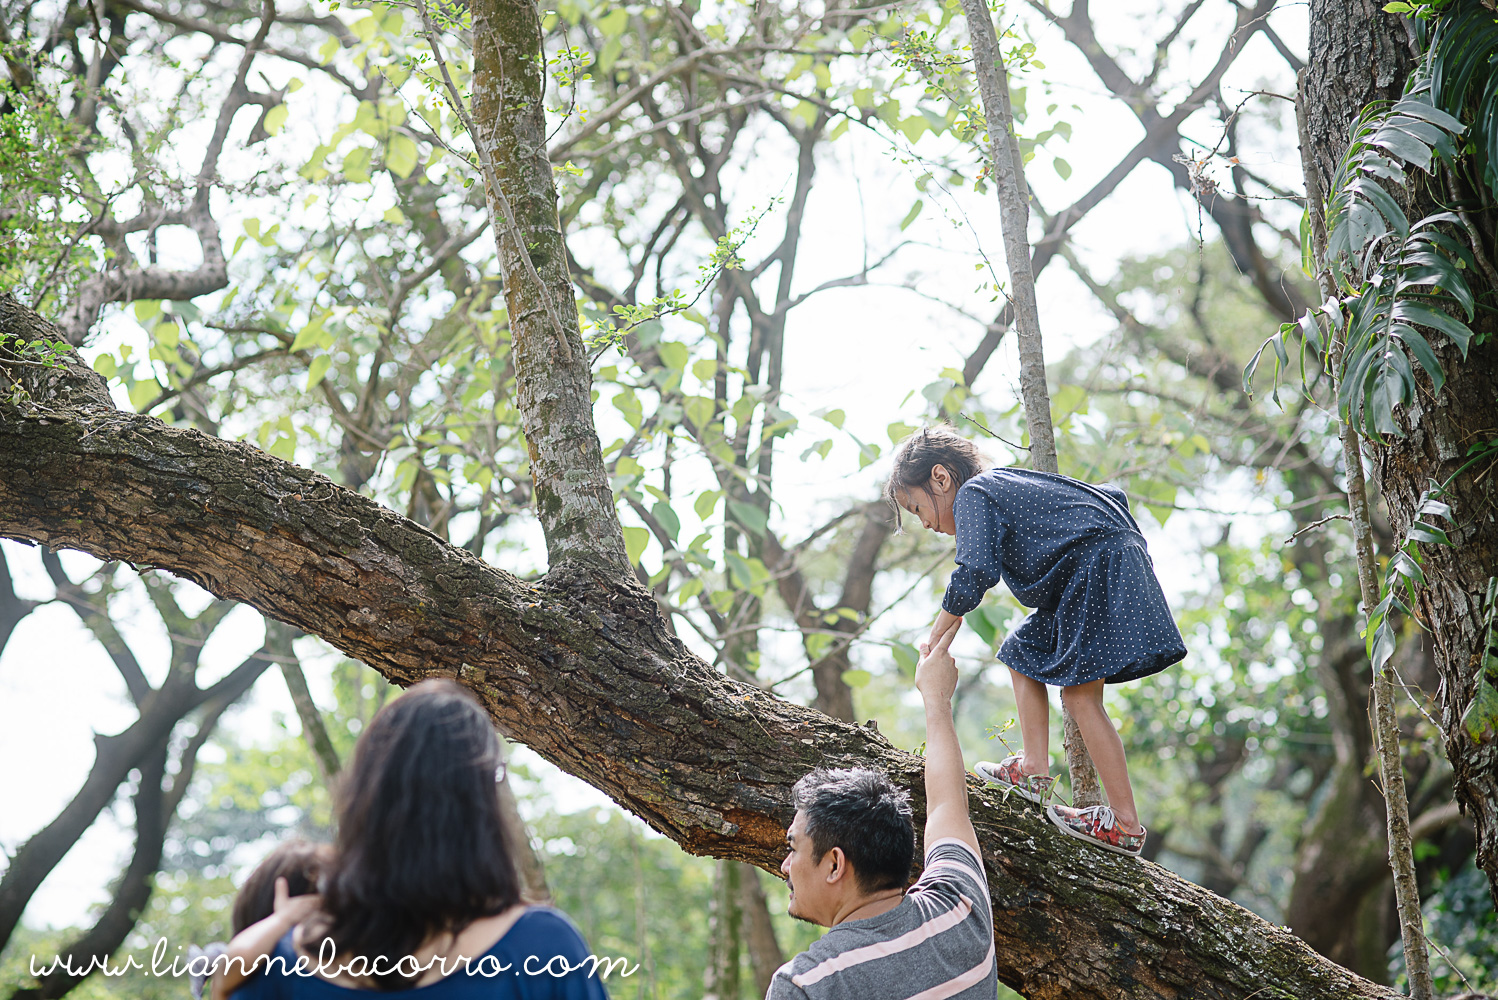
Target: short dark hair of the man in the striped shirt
(864,814)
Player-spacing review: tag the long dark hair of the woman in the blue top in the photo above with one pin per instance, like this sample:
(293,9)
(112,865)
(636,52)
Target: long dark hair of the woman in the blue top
(422,848)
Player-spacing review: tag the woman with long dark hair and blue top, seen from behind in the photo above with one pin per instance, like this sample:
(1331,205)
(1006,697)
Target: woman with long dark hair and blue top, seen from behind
(423,894)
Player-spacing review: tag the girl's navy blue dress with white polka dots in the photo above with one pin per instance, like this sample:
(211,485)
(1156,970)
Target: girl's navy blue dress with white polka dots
(1075,555)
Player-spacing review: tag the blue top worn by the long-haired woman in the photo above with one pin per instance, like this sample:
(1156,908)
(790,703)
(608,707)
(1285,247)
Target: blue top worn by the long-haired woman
(542,957)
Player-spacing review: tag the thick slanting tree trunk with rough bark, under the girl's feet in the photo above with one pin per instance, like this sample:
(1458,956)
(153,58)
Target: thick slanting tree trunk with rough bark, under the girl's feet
(580,667)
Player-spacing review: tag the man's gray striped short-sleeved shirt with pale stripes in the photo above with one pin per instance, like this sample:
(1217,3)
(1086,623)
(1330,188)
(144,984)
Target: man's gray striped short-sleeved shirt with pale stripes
(937,944)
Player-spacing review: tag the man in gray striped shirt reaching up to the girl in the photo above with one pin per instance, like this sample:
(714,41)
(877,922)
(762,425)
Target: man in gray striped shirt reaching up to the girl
(852,847)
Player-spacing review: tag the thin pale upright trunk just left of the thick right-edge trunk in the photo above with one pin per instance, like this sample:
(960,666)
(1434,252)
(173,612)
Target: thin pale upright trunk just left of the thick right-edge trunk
(1386,725)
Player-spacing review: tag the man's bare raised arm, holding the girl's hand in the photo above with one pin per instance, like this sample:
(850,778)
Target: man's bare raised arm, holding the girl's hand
(946,778)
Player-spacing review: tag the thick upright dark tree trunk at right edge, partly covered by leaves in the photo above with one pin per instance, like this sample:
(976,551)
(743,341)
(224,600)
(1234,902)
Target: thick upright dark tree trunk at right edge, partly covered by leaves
(1361,55)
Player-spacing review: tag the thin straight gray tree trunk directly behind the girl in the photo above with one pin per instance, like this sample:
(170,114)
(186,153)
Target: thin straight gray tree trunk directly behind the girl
(1009,179)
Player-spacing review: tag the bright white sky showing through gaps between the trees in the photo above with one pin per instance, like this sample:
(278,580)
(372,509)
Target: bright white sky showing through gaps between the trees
(853,350)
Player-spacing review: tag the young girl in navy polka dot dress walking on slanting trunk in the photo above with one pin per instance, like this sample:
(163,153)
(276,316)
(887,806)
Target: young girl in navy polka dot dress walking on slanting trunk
(1075,555)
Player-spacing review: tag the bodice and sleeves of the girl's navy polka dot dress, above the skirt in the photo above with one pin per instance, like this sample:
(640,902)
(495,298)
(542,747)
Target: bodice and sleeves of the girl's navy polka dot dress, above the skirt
(1031,529)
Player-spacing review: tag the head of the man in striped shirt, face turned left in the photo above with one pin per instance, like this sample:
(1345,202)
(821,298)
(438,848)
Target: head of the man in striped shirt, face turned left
(852,839)
